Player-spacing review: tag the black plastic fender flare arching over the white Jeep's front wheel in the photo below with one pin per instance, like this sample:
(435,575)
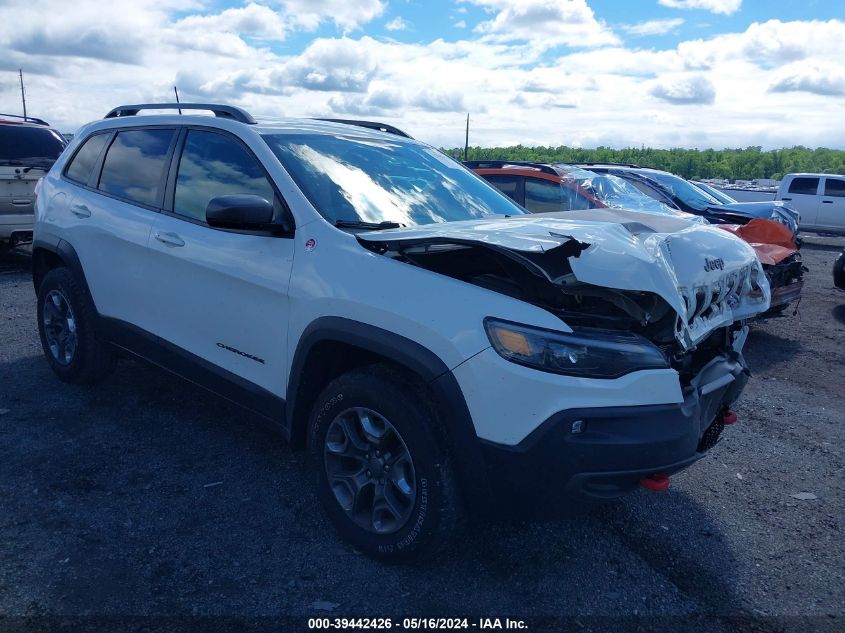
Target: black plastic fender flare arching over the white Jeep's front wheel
(464,444)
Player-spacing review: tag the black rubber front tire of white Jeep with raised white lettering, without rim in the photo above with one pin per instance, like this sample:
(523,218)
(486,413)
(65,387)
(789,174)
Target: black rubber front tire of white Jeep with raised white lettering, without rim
(434,512)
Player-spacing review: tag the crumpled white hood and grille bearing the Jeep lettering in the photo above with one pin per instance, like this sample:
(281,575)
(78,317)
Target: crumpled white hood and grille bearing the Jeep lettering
(668,280)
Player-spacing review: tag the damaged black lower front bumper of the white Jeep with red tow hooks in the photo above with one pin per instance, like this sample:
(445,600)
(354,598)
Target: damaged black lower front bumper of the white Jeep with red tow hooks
(603,453)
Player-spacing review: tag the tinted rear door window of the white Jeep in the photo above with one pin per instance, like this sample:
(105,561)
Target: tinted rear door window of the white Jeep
(135,164)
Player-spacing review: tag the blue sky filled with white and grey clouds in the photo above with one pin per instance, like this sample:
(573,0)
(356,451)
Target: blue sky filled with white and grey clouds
(584,73)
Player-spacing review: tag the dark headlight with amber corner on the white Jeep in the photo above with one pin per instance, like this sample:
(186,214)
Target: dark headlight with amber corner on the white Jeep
(587,352)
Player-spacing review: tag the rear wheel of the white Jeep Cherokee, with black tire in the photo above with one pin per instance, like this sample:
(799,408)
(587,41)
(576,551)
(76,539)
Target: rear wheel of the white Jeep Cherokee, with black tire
(90,360)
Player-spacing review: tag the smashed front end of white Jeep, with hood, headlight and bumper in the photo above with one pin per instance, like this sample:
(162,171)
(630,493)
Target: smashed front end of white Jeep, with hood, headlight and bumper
(676,295)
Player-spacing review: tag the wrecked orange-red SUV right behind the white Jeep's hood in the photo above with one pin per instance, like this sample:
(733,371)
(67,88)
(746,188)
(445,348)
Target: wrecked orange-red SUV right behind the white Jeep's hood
(548,187)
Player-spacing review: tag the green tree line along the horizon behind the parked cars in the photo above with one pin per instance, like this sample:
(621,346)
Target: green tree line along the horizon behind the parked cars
(732,164)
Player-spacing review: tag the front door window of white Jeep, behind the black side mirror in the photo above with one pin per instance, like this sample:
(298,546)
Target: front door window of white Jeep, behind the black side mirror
(214,165)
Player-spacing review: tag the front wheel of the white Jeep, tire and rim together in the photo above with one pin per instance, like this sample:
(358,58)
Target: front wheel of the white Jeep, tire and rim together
(384,477)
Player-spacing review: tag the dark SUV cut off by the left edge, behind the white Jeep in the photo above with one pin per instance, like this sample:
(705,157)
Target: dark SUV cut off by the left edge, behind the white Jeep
(28,148)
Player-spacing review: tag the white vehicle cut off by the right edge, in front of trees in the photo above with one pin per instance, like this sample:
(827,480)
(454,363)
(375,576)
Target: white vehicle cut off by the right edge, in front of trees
(819,198)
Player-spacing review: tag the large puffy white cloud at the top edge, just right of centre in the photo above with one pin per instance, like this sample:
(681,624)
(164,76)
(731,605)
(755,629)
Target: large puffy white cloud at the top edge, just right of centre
(545,23)
